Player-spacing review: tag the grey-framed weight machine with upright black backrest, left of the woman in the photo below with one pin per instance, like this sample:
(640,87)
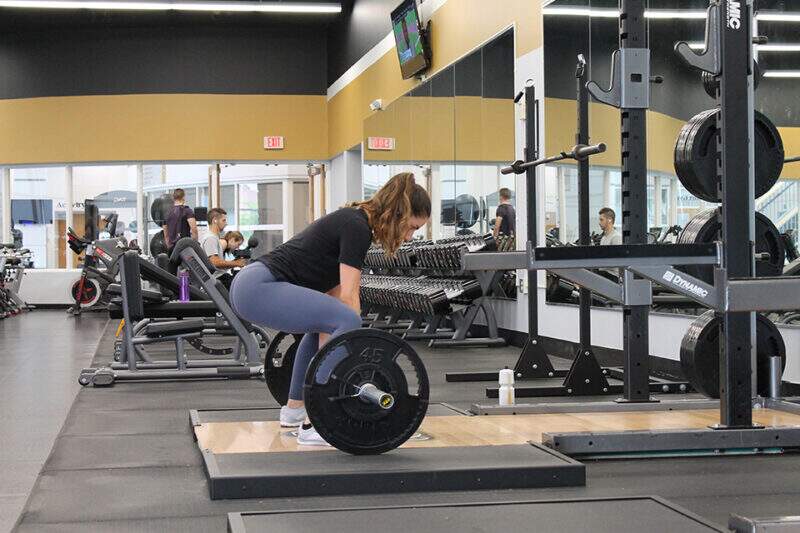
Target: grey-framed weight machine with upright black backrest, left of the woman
(140,331)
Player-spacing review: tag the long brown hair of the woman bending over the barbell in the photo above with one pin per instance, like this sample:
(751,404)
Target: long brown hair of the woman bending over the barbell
(391,208)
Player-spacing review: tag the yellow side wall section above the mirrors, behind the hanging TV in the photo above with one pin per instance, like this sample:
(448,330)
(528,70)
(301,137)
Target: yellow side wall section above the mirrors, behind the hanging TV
(457,27)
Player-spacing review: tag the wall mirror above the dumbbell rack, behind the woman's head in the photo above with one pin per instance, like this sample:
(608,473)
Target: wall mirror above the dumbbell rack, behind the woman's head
(453,131)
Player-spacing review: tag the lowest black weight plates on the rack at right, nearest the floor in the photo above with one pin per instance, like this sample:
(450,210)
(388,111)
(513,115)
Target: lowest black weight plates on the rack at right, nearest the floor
(700,353)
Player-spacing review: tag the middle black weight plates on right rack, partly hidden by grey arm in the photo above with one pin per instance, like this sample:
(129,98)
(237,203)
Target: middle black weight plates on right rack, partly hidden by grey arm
(705,228)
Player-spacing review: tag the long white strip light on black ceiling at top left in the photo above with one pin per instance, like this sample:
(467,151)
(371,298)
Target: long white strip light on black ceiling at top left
(246,7)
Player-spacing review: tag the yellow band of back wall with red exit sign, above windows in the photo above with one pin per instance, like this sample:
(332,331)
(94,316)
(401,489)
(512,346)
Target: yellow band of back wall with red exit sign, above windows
(161,127)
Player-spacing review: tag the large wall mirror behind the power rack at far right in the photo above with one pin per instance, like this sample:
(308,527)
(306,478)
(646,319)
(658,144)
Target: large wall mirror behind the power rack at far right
(591,28)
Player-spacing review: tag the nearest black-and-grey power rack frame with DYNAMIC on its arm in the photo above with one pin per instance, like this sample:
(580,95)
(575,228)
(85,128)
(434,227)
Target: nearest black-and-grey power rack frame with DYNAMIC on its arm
(735,293)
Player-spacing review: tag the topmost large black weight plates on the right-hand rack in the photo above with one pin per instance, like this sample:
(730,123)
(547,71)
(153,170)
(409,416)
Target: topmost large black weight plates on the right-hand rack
(695,155)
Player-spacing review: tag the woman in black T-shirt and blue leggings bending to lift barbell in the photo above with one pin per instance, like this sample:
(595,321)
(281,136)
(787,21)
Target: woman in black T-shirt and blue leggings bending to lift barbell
(310,284)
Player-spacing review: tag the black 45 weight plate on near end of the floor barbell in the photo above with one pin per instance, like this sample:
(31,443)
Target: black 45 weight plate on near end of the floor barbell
(366,392)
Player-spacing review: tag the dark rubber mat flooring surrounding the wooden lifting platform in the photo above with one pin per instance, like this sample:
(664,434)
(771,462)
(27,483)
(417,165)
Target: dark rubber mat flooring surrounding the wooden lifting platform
(126,461)
